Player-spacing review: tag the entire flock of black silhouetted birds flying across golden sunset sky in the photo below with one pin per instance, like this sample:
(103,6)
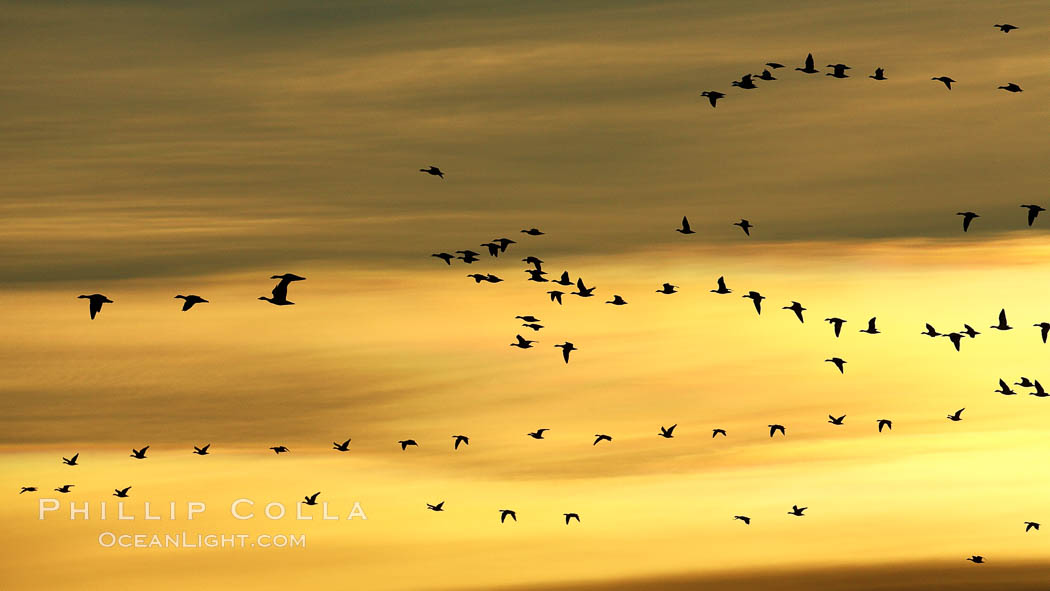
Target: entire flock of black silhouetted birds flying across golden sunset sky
(536,273)
